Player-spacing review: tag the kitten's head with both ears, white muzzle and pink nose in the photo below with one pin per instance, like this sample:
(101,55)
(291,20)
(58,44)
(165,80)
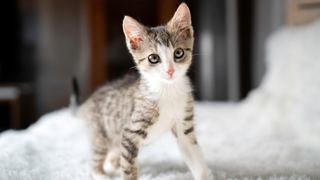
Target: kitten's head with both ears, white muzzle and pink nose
(163,52)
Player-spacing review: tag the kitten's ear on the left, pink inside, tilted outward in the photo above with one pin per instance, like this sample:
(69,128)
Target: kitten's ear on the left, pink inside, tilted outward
(134,31)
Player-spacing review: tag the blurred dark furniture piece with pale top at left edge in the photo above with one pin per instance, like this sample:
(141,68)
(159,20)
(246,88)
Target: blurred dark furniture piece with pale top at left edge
(10,94)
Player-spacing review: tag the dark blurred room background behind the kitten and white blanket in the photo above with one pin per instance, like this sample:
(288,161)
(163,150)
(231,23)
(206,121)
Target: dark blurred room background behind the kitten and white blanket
(47,42)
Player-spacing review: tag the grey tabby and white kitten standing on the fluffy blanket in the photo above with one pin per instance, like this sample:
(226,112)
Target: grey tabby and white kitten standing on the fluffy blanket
(135,111)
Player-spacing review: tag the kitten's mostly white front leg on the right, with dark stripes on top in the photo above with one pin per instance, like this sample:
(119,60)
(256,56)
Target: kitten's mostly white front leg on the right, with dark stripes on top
(190,149)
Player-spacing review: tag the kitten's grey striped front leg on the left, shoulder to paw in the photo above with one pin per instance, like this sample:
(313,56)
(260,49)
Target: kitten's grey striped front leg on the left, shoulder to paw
(145,115)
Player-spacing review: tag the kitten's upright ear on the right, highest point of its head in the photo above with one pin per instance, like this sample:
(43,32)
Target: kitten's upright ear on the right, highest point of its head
(181,21)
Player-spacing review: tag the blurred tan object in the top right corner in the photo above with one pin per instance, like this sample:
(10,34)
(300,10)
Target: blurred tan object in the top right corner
(301,12)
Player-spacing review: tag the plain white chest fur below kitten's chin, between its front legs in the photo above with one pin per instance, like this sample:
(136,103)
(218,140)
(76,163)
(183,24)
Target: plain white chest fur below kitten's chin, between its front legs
(172,99)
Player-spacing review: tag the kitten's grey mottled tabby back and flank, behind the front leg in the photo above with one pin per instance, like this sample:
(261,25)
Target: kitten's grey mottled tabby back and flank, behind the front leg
(112,104)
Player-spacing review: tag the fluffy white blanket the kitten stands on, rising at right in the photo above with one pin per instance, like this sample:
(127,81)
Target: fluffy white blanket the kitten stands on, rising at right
(274,134)
